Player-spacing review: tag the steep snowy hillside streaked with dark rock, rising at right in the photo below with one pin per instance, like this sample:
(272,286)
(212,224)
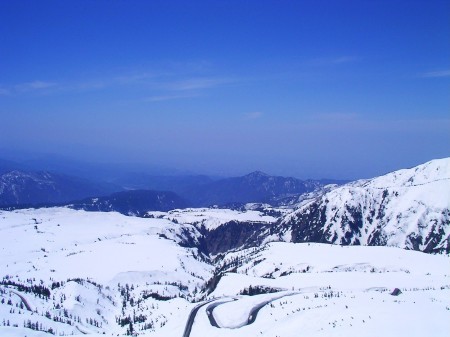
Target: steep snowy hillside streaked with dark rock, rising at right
(408,208)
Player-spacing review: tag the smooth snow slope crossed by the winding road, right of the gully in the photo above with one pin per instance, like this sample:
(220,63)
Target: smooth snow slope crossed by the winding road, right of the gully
(329,290)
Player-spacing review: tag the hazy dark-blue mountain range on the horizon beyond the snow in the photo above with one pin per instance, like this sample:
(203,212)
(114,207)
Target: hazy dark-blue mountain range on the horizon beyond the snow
(23,187)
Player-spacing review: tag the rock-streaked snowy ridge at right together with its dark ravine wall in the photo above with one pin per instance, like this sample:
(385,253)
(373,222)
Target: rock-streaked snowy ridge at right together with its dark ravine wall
(408,209)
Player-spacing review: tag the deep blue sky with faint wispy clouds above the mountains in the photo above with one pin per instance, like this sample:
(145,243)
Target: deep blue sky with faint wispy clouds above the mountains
(337,89)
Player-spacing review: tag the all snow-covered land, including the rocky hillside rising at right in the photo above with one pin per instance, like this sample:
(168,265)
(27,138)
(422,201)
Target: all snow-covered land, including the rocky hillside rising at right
(198,272)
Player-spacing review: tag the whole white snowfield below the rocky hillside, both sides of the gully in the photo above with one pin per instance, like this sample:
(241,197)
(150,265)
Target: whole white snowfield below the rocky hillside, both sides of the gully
(68,272)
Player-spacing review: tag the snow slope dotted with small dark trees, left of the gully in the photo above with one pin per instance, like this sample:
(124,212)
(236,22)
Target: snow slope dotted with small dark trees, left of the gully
(94,272)
